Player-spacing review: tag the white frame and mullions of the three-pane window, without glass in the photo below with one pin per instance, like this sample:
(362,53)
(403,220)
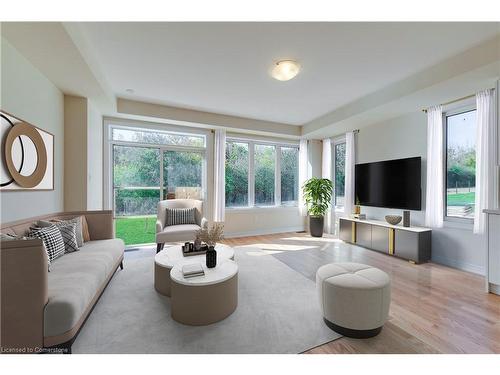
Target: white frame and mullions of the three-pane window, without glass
(251,173)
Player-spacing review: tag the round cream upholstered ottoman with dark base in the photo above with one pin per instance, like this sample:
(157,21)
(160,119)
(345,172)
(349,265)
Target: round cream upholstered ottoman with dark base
(354,298)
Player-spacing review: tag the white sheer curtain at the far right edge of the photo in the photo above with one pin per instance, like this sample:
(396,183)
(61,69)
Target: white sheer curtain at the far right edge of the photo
(485,157)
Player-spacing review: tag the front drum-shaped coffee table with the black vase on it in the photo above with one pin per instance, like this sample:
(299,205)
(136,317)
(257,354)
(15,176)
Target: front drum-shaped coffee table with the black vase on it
(204,299)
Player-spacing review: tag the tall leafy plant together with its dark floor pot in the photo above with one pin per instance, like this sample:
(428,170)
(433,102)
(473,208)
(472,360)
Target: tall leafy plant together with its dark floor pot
(318,196)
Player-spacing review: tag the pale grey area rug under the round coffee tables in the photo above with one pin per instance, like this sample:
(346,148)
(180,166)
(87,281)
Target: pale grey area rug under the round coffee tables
(277,312)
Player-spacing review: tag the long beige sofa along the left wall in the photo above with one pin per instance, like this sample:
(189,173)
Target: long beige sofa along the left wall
(44,310)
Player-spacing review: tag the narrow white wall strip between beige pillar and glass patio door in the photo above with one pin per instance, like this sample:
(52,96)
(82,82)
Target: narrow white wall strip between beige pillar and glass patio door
(94,158)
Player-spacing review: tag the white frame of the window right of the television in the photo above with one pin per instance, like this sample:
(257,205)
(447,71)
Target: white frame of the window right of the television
(458,108)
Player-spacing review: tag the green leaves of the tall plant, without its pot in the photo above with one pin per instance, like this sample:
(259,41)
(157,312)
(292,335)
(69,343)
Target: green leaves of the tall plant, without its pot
(317,195)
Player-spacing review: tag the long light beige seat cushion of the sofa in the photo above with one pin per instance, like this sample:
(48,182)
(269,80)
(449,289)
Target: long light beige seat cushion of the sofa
(75,279)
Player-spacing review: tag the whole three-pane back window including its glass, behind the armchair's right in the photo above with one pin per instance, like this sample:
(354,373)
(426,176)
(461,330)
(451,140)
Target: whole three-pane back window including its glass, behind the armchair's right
(261,174)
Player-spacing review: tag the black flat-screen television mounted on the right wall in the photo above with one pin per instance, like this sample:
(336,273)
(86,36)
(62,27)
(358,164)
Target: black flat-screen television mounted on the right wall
(390,184)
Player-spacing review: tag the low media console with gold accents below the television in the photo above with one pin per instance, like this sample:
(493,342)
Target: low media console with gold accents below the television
(412,243)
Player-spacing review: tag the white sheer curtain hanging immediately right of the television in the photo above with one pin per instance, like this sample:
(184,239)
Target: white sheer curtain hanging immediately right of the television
(434,195)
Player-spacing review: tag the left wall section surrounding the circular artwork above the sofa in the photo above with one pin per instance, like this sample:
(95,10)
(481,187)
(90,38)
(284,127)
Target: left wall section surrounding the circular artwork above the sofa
(27,94)
